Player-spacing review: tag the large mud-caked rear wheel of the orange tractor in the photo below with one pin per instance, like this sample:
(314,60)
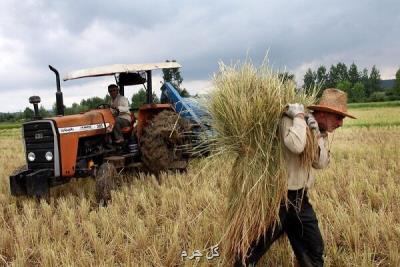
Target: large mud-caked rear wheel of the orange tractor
(162,141)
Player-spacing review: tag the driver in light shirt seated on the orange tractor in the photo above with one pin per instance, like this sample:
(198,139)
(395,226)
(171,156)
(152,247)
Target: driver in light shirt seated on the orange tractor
(120,110)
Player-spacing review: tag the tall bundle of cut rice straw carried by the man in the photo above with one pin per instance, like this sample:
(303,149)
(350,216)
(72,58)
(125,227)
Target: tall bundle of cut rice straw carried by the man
(246,107)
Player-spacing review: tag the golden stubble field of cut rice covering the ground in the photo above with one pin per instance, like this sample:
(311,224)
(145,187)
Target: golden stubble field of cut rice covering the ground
(147,224)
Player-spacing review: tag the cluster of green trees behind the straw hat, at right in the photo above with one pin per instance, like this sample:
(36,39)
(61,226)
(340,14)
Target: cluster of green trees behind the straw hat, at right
(360,86)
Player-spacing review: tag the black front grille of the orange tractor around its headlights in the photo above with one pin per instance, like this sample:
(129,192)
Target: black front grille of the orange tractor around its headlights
(39,139)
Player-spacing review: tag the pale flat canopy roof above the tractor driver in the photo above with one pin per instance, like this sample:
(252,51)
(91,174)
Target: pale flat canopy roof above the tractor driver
(118,69)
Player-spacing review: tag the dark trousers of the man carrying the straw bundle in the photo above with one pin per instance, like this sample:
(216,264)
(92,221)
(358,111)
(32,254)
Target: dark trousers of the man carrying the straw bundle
(300,224)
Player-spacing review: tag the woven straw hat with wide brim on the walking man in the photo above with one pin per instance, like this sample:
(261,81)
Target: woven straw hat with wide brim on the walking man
(334,101)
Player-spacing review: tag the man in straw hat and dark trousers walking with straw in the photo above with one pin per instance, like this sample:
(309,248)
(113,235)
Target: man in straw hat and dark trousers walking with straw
(297,218)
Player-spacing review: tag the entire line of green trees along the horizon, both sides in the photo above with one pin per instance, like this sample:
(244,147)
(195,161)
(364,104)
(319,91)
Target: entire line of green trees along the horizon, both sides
(361,86)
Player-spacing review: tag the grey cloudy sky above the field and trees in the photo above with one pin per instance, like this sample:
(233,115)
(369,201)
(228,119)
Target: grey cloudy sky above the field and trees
(73,35)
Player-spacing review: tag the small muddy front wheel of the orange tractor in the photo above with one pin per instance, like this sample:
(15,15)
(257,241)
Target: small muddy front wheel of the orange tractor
(105,182)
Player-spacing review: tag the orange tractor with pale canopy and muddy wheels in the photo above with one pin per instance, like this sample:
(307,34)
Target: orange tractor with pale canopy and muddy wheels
(79,146)
